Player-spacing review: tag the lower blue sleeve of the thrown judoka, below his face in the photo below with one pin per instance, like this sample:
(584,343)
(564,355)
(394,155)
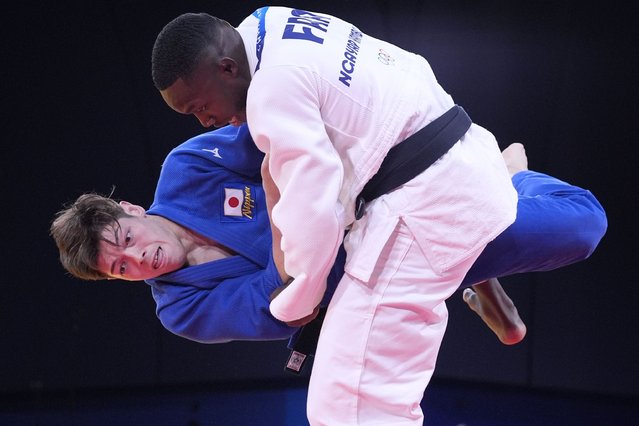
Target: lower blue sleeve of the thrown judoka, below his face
(233,309)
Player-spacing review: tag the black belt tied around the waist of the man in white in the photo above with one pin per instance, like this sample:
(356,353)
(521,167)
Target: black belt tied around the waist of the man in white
(414,155)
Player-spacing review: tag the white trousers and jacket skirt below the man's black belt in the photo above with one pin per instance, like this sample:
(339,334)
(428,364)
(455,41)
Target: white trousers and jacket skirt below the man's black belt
(386,321)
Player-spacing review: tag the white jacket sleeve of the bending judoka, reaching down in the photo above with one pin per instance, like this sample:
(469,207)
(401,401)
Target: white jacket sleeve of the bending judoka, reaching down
(285,120)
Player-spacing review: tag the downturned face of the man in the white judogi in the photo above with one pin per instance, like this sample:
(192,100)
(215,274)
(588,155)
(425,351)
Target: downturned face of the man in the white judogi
(215,94)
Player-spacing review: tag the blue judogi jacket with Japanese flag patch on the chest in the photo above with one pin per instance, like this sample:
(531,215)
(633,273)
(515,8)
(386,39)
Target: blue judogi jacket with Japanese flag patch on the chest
(211,184)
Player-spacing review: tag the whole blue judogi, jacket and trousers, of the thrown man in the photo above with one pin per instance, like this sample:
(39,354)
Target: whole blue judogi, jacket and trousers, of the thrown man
(228,299)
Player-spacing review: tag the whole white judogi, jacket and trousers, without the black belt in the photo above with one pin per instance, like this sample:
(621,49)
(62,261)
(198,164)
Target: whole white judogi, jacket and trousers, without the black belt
(327,103)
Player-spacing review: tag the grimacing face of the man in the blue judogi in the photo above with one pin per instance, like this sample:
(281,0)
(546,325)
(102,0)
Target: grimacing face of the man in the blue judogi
(142,247)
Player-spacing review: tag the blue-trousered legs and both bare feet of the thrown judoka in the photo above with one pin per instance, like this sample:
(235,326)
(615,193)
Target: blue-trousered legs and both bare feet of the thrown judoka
(546,200)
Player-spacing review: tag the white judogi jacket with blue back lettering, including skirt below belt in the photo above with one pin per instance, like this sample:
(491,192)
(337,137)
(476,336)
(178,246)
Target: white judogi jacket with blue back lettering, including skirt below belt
(327,102)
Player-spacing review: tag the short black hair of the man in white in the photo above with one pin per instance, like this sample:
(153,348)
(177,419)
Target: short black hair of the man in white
(178,47)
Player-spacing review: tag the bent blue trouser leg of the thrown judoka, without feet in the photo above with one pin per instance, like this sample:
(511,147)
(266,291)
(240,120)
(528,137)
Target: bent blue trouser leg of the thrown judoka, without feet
(557,224)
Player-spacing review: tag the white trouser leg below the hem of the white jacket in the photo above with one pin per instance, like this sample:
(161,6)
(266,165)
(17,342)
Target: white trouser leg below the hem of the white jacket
(380,339)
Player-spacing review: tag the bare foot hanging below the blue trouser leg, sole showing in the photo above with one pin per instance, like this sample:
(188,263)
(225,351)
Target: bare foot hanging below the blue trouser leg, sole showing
(497,310)
